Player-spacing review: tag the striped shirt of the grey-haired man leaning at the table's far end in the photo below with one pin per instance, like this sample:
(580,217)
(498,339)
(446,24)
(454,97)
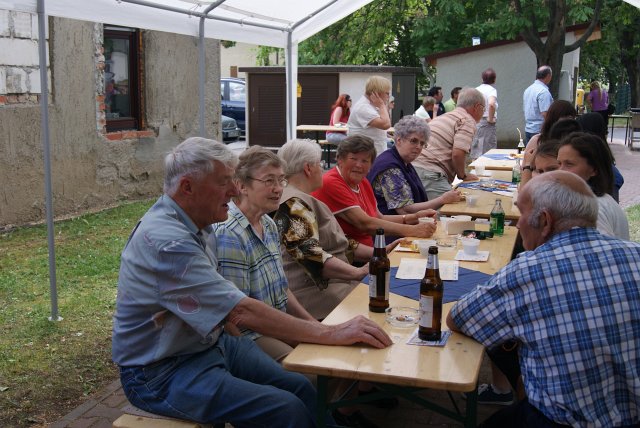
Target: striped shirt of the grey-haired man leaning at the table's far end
(451,130)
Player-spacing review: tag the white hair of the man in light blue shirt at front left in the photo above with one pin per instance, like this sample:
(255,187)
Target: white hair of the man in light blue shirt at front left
(194,157)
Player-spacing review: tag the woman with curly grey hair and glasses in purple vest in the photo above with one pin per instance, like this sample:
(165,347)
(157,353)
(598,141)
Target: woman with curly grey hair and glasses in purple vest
(395,182)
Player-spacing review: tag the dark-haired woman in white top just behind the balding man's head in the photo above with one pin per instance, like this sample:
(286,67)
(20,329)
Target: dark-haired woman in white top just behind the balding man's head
(585,155)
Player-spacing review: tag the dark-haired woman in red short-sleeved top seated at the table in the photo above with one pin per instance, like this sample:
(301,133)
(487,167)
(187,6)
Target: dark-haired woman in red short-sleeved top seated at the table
(350,197)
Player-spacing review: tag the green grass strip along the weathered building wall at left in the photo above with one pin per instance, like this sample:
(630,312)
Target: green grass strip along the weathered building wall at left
(48,367)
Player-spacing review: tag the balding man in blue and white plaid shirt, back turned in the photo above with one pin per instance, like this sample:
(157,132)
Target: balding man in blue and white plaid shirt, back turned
(572,303)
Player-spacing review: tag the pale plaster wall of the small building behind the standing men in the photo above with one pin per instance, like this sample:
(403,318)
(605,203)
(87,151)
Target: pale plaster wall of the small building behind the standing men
(515,66)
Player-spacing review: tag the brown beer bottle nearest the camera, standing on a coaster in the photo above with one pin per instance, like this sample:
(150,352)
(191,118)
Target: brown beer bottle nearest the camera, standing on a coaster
(431,291)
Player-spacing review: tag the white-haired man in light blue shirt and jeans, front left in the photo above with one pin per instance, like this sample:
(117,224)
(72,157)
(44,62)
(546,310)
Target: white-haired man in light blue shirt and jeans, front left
(175,358)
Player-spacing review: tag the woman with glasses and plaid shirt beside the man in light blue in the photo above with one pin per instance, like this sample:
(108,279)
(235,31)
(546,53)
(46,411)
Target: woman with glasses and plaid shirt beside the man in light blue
(247,244)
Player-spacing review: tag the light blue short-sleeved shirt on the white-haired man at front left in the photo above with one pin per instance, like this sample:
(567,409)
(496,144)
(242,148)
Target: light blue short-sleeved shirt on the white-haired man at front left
(170,296)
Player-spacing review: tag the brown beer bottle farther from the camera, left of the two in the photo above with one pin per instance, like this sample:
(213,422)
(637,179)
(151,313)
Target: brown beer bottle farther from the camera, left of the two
(379,268)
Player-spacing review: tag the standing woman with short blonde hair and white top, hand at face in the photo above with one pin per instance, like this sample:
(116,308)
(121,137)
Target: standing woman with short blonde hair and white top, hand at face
(370,114)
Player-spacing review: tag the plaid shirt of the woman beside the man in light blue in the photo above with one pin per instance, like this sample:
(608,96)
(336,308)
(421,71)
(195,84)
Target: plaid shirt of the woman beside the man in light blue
(253,264)
